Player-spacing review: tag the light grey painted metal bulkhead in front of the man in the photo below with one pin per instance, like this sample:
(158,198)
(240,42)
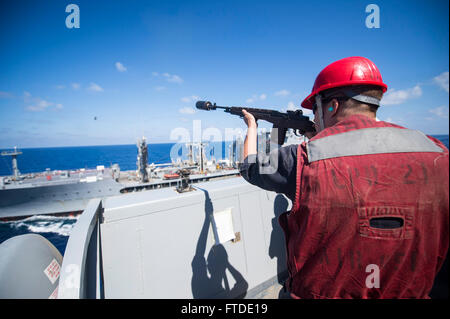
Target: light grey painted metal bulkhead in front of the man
(161,244)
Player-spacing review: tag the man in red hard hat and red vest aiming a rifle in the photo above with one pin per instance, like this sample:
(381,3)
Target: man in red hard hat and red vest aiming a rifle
(370,198)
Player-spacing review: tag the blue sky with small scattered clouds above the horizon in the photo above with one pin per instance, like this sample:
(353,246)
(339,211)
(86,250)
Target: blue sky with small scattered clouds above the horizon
(139,66)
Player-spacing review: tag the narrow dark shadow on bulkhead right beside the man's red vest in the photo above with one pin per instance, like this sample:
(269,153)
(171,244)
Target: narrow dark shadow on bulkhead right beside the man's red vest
(277,248)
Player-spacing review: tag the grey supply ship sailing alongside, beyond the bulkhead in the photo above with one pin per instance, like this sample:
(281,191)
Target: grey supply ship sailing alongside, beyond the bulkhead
(62,192)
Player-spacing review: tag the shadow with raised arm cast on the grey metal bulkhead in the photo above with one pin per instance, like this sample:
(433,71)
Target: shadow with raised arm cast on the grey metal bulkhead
(209,278)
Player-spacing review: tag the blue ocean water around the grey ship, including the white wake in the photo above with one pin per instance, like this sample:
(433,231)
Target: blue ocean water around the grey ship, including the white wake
(57,229)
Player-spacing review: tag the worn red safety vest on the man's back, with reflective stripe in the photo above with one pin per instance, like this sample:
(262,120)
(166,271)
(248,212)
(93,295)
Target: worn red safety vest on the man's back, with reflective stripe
(349,176)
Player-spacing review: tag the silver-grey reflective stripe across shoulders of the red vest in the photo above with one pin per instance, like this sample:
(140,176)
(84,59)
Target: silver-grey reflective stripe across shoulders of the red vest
(370,141)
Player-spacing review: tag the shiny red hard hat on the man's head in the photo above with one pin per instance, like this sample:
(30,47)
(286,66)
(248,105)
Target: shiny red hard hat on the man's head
(348,71)
